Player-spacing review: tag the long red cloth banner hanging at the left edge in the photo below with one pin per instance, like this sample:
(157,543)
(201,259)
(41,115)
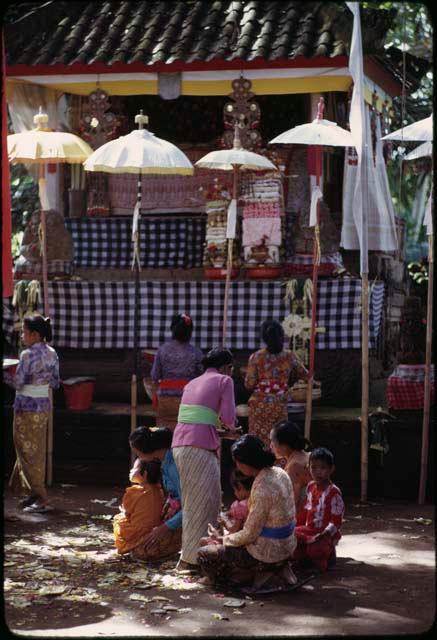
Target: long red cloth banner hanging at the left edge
(7,278)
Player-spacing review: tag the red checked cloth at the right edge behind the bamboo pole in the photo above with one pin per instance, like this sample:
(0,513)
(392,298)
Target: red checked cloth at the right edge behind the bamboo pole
(406,386)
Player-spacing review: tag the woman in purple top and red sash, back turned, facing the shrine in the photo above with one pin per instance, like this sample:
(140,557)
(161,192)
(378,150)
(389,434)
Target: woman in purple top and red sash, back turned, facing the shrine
(176,363)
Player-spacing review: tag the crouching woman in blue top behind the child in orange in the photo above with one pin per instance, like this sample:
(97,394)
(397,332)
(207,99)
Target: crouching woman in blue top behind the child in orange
(165,538)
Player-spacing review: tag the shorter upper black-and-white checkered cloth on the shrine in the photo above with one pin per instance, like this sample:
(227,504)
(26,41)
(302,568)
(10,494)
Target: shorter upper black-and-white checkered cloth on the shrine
(164,242)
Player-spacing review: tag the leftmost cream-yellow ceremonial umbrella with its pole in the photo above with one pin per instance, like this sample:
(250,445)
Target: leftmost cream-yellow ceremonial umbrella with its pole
(43,146)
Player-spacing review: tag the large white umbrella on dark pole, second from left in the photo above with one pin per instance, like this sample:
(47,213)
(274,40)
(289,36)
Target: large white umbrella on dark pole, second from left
(138,152)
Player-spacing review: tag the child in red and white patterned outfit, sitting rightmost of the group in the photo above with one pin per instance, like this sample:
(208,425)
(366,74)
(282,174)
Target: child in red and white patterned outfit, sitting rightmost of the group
(317,538)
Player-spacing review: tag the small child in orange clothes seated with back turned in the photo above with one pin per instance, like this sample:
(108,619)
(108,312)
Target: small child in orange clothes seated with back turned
(141,508)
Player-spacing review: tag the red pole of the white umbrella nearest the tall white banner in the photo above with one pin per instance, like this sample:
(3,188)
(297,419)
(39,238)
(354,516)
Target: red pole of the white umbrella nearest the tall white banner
(316,262)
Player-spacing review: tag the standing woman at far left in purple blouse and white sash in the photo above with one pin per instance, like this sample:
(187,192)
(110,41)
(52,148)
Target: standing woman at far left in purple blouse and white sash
(37,370)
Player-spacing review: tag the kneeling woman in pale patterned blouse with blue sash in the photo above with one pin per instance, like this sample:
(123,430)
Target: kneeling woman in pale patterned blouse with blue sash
(267,541)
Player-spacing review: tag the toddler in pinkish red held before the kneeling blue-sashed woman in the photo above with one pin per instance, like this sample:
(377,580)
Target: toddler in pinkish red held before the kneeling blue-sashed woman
(233,519)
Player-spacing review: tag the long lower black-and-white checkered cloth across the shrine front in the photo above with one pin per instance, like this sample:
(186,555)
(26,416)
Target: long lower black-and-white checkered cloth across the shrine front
(100,315)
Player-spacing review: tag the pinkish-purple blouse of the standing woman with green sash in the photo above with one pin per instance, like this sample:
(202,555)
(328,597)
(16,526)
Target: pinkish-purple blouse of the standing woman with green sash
(215,391)
